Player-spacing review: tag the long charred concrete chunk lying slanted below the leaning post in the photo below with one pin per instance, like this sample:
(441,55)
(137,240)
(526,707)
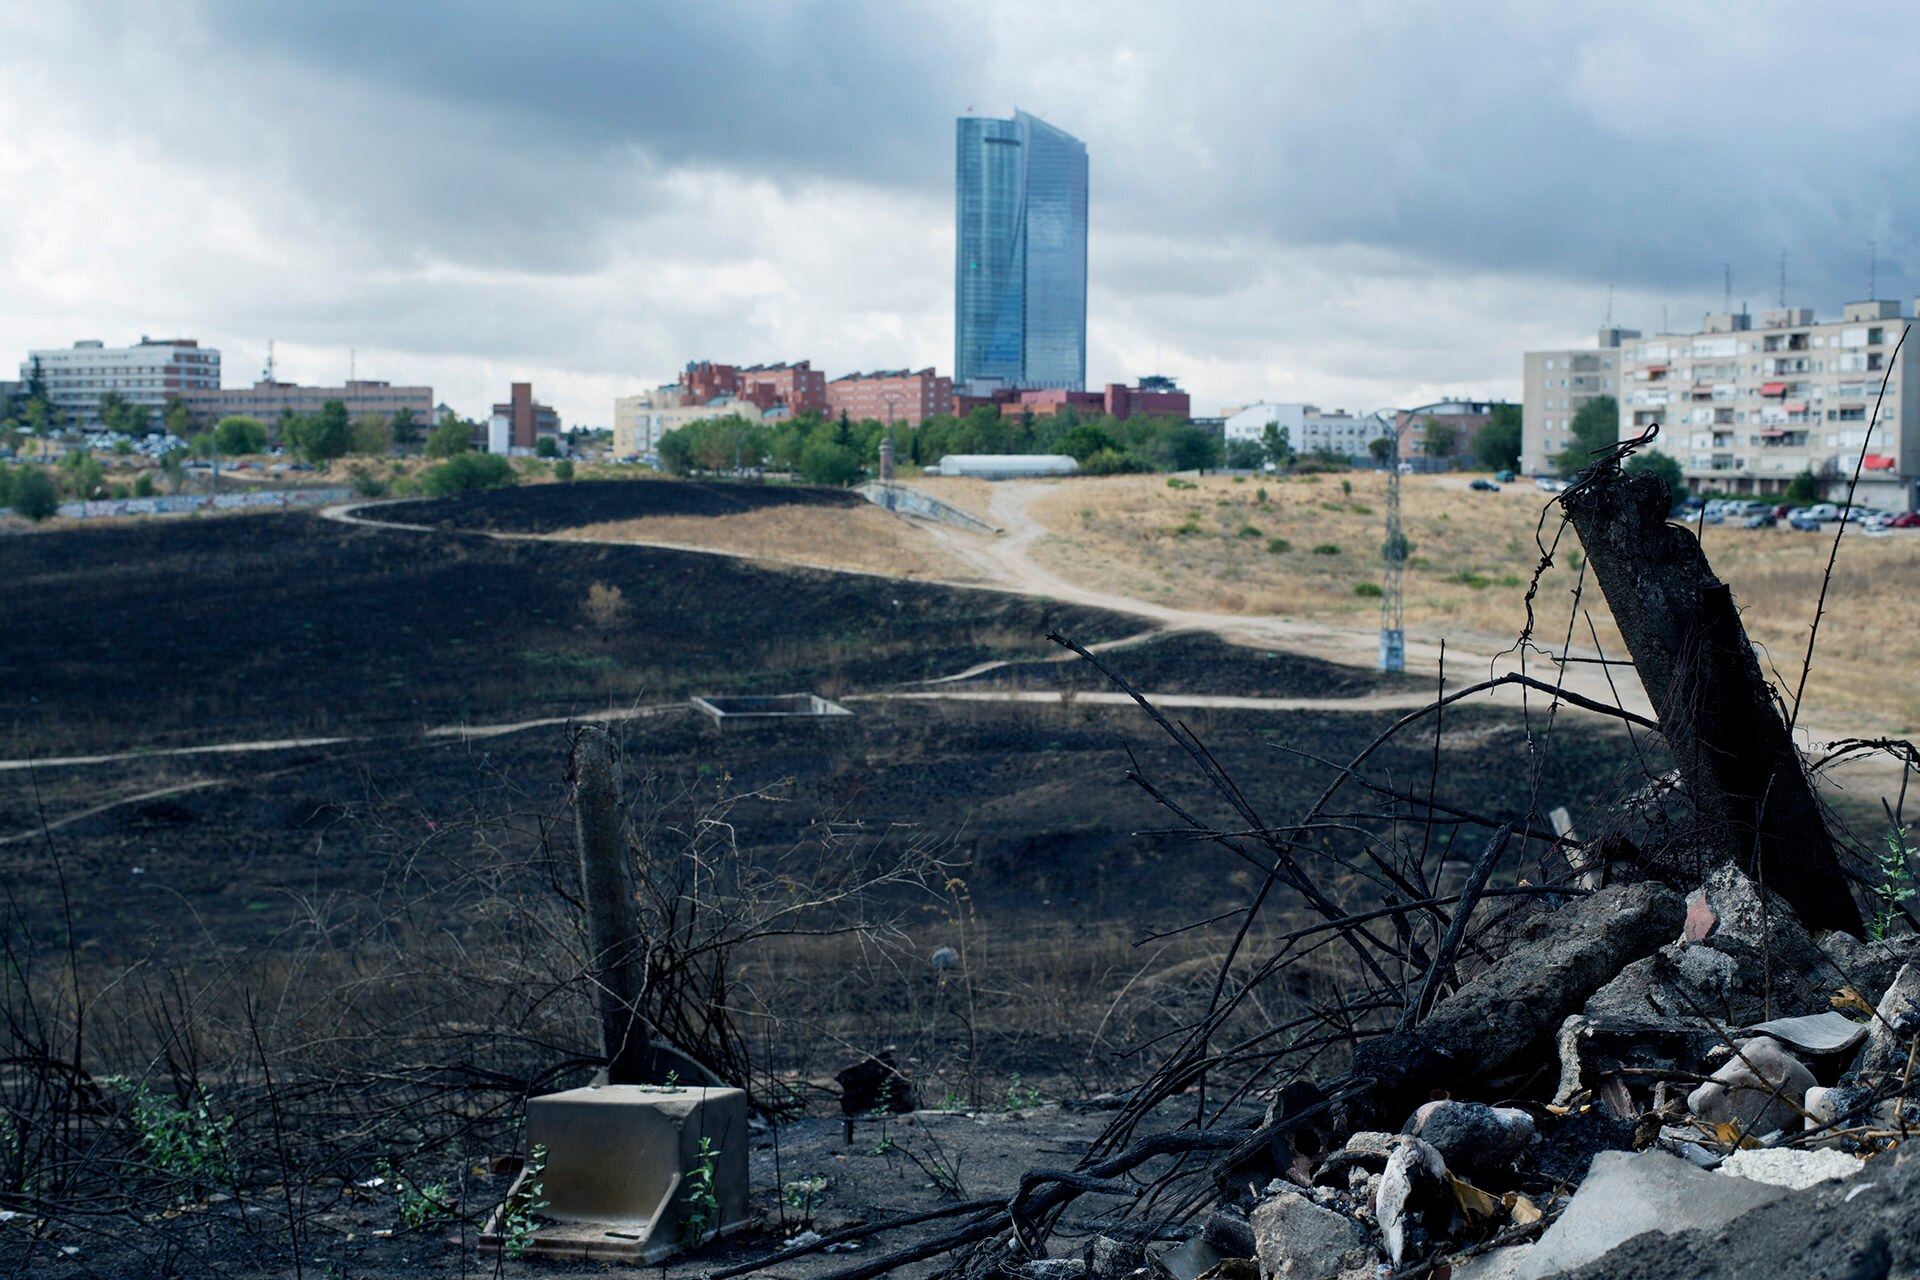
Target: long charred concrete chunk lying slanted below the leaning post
(1506,1018)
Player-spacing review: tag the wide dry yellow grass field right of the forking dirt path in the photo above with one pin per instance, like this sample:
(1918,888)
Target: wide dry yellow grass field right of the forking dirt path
(1474,556)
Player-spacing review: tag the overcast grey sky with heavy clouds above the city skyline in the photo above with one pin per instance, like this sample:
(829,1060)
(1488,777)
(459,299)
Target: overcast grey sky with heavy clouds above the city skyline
(1356,204)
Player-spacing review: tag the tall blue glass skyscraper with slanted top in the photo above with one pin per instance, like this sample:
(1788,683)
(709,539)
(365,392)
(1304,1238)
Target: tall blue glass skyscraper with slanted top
(1020,254)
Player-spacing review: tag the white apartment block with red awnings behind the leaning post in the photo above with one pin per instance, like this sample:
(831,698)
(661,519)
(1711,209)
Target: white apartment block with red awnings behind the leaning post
(1744,408)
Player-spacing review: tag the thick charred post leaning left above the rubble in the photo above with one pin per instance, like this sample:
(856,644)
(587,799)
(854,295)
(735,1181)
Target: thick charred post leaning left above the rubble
(1717,713)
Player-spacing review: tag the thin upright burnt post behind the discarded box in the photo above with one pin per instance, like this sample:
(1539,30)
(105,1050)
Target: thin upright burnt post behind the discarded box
(617,960)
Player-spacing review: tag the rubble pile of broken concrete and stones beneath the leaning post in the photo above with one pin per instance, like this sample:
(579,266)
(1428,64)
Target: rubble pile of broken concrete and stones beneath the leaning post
(1646,1083)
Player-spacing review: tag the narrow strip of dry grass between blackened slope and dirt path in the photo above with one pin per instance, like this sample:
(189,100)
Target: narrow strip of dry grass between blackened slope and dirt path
(863,538)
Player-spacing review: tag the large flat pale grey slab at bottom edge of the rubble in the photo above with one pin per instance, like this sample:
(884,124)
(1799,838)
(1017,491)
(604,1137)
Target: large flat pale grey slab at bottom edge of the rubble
(1629,1195)
